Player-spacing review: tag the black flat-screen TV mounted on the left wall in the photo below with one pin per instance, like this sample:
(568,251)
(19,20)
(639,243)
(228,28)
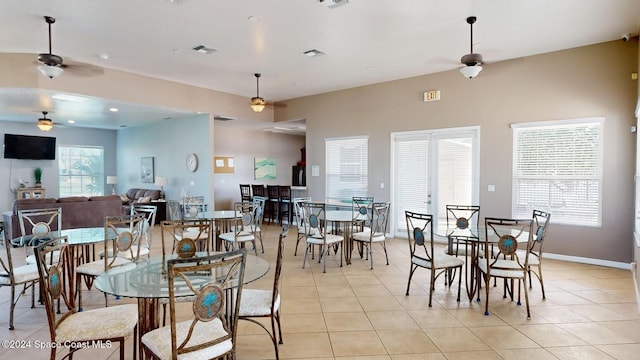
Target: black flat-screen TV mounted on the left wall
(29,147)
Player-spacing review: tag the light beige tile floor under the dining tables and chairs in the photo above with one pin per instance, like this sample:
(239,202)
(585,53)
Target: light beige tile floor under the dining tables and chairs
(352,312)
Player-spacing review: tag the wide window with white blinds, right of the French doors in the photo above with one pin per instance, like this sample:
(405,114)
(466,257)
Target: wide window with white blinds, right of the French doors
(557,167)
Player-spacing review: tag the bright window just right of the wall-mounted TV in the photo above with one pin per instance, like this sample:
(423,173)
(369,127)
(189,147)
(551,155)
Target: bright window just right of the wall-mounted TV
(81,171)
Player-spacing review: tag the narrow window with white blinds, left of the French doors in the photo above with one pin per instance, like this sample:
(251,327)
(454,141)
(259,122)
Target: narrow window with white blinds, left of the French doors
(346,167)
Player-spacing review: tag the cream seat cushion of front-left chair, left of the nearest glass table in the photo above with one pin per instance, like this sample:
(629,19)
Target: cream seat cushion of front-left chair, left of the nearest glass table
(102,323)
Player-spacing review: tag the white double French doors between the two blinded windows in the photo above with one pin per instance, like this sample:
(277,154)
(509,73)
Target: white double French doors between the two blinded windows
(432,169)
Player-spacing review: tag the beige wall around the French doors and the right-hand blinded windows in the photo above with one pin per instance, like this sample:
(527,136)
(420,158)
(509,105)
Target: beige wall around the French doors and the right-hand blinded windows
(582,82)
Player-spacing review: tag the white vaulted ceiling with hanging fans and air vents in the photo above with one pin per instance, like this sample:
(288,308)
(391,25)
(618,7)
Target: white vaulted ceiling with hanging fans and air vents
(364,41)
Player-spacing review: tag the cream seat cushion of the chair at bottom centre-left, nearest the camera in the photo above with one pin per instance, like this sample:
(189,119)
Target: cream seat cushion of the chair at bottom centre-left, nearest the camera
(159,340)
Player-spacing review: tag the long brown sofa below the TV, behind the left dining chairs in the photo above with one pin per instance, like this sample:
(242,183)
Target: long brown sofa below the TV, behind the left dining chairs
(77,211)
